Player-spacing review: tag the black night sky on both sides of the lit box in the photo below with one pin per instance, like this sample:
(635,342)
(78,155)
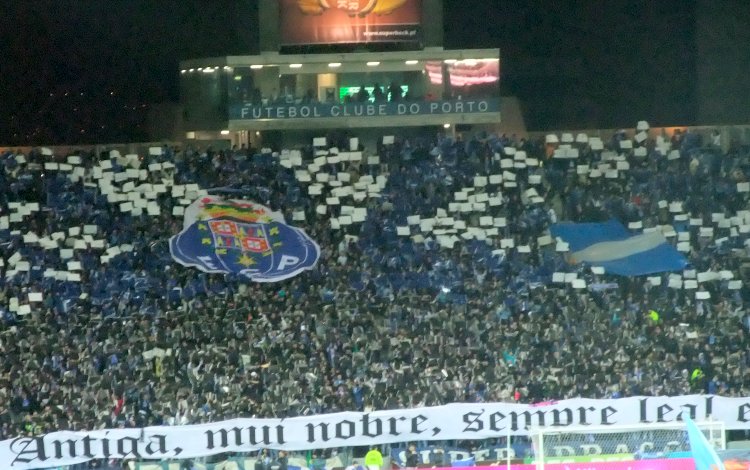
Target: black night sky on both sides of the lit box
(573,63)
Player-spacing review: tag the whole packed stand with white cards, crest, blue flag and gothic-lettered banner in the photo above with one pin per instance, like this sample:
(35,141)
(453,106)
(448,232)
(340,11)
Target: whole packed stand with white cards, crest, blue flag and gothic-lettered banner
(147,293)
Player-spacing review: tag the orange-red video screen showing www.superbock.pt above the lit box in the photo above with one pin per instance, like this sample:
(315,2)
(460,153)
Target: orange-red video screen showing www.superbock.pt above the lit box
(307,22)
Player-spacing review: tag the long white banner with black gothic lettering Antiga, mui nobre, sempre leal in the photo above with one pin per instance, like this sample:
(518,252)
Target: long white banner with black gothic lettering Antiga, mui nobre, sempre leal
(457,421)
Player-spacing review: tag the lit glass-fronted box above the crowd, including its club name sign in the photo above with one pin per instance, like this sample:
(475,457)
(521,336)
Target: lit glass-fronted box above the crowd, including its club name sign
(214,96)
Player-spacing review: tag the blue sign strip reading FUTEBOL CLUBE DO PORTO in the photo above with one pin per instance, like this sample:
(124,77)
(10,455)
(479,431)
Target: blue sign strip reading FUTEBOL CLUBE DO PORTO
(354,110)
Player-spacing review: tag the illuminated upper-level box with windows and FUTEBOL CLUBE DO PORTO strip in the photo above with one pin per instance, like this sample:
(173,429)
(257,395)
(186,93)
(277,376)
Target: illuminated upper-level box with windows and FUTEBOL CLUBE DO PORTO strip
(358,90)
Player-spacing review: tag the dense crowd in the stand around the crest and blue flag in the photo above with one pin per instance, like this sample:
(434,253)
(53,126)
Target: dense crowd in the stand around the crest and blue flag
(384,320)
